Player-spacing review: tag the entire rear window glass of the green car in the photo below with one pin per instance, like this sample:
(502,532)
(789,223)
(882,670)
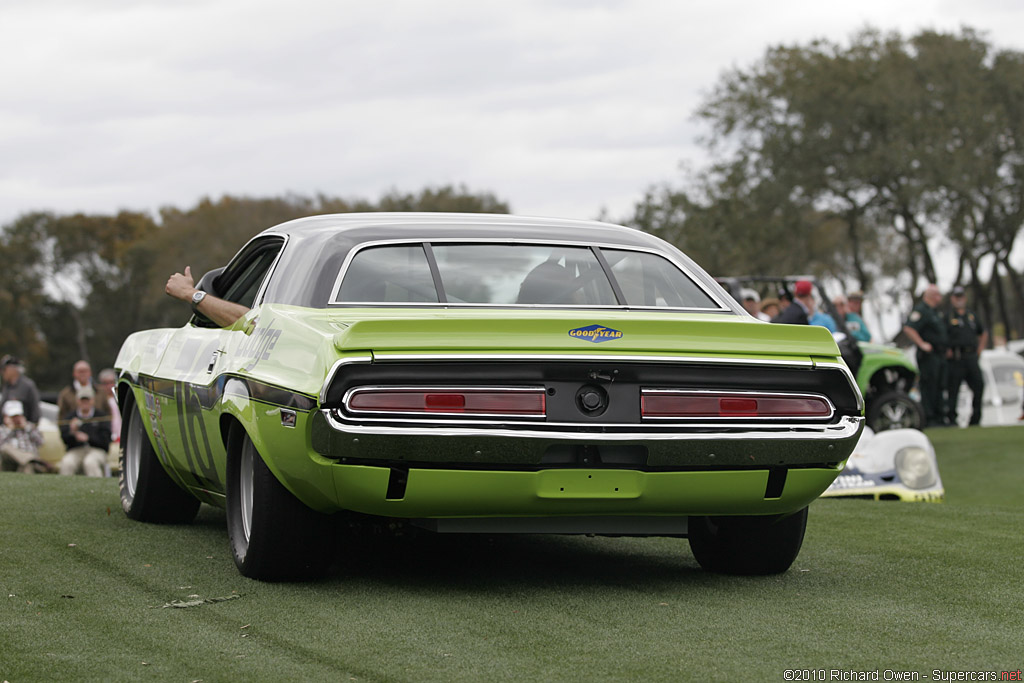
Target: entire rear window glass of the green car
(510,275)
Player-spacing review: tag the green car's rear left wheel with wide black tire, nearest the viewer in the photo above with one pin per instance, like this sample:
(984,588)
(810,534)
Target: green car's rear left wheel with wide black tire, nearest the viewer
(274,536)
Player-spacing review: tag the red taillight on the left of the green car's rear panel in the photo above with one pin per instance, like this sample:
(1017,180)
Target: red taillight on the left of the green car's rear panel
(500,402)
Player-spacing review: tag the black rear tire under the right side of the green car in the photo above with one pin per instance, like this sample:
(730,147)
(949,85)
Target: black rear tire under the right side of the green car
(748,545)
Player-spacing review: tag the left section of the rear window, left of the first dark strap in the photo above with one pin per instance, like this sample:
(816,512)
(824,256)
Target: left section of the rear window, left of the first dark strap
(389,275)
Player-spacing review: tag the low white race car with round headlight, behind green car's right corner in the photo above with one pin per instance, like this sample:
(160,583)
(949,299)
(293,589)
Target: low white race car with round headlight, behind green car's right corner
(893,465)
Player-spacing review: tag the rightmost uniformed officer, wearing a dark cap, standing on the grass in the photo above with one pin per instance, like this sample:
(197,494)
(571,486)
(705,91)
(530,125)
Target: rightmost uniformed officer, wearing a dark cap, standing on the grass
(967,340)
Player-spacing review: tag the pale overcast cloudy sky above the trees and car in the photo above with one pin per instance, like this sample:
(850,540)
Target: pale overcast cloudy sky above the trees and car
(559,107)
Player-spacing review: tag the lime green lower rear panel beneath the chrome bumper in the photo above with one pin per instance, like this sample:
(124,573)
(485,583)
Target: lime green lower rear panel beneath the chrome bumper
(564,493)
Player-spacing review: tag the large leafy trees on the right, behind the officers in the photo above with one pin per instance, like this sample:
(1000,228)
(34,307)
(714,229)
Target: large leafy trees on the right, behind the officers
(859,162)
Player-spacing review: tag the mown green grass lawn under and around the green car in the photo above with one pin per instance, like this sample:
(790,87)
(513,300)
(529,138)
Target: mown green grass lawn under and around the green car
(879,586)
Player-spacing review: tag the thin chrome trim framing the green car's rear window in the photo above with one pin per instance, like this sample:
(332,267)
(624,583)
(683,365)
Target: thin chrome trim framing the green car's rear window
(336,289)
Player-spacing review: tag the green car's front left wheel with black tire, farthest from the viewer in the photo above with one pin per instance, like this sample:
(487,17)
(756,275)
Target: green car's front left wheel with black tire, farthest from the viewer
(148,492)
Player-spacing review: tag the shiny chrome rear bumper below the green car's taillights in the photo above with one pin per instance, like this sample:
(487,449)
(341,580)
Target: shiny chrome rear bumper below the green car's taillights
(699,447)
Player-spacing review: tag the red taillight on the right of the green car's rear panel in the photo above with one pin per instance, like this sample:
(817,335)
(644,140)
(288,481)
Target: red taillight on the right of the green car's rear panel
(667,404)
